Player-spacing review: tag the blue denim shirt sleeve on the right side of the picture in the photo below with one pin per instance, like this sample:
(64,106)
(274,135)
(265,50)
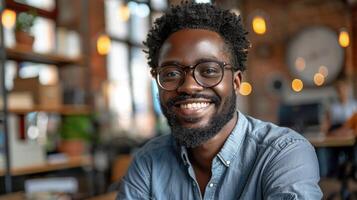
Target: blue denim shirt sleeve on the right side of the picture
(293,173)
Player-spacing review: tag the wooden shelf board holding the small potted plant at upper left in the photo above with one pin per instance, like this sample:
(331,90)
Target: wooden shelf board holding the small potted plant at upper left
(21,54)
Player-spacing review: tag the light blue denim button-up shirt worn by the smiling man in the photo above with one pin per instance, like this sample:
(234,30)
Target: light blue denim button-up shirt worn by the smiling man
(259,160)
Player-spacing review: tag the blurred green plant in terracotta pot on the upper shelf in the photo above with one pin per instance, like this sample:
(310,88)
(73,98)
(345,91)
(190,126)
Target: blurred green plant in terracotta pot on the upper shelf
(24,23)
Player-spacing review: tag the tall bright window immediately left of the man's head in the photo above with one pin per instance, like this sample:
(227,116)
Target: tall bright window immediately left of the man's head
(130,84)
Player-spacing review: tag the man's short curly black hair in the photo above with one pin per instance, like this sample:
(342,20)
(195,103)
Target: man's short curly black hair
(203,16)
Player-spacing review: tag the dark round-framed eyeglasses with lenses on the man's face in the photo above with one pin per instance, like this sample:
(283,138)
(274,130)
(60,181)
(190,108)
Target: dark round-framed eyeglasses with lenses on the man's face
(206,73)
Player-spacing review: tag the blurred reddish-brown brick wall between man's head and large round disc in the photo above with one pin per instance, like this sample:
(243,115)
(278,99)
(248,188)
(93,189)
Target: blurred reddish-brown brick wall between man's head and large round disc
(267,56)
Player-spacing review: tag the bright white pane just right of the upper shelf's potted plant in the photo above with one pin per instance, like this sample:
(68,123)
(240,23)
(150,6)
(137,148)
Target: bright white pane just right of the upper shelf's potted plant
(44,32)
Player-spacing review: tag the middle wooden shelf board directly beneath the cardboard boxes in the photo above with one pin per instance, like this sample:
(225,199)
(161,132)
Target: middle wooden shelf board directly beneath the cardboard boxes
(64,110)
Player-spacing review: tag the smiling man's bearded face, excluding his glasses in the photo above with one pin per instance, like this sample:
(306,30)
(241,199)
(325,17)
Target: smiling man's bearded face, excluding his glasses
(195,113)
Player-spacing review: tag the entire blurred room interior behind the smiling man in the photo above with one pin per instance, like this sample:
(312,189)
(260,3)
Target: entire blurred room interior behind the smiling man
(77,98)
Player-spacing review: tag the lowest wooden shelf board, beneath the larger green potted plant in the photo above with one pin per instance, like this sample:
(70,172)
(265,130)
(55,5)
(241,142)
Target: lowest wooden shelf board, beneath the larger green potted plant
(72,162)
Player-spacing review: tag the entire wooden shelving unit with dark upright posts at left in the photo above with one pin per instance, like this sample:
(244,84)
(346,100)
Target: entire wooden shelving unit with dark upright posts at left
(20,54)
